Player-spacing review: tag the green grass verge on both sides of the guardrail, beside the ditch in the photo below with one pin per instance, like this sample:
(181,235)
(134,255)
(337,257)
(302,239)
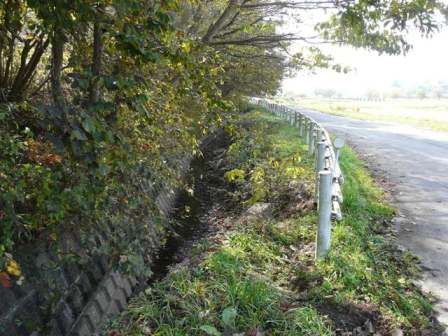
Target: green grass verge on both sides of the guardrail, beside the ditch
(262,275)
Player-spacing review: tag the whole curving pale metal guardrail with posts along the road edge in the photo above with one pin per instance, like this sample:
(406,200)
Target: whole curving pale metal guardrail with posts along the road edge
(329,177)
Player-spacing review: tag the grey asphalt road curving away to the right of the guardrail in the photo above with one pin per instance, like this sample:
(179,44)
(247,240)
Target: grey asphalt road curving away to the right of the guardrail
(416,164)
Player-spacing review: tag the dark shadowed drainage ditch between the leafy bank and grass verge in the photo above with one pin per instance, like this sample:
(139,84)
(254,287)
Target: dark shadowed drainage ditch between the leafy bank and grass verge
(199,208)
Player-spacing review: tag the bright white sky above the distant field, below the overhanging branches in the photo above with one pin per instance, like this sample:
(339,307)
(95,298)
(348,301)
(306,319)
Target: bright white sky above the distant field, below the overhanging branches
(427,62)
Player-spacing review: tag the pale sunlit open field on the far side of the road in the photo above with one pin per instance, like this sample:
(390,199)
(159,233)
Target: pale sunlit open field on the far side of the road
(422,113)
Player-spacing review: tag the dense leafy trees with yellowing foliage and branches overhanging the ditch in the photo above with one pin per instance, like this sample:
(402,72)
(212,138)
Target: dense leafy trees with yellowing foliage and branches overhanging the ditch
(98,97)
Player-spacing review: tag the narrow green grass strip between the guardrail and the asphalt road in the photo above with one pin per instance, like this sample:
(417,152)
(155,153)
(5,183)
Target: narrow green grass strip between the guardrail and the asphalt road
(364,265)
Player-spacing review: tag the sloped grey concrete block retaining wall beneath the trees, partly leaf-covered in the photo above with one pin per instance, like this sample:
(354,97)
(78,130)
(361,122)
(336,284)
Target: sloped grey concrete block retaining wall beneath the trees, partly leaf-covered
(91,296)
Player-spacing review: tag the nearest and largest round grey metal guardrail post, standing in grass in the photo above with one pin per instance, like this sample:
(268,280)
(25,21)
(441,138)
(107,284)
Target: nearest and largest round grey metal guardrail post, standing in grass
(324,229)
